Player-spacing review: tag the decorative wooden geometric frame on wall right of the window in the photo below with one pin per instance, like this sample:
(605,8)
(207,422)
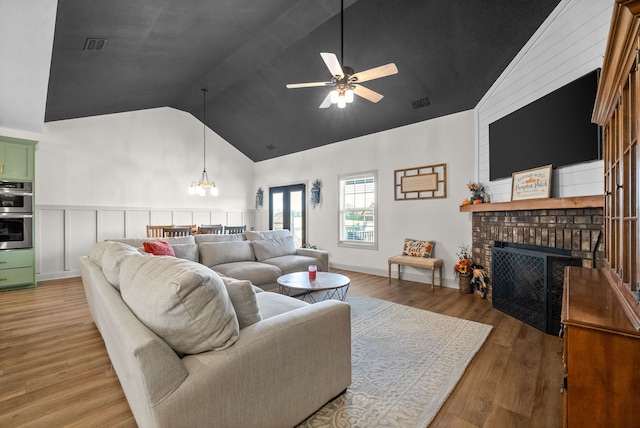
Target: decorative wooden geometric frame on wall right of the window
(422,182)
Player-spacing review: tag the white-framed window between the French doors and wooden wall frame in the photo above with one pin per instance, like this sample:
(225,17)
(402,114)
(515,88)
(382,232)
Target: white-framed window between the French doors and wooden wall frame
(358,217)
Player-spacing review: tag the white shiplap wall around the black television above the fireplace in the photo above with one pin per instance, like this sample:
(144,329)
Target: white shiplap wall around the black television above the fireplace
(570,44)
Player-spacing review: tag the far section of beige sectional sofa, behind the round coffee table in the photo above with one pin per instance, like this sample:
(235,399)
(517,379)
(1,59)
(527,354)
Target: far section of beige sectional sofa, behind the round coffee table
(260,257)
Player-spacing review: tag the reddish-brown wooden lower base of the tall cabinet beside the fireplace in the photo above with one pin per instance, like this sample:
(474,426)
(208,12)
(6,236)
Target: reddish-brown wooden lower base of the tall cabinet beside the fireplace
(601,374)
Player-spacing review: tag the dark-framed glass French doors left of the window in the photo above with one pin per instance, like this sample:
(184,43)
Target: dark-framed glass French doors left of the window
(287,211)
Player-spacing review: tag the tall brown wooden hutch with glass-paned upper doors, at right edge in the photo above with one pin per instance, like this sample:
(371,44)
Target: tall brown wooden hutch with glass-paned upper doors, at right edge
(601,310)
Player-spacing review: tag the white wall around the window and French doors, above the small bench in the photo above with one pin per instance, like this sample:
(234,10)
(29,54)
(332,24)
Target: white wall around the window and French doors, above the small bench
(444,140)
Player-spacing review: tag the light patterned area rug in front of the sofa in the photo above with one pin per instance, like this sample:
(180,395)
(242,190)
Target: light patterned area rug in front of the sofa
(405,363)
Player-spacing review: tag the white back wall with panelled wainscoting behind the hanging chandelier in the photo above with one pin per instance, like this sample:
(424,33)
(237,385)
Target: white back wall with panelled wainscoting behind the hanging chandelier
(109,176)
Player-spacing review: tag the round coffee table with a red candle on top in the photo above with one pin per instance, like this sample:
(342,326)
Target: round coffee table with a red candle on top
(298,284)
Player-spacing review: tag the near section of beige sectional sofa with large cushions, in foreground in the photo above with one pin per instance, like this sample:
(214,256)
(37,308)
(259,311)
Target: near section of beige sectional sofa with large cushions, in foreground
(194,349)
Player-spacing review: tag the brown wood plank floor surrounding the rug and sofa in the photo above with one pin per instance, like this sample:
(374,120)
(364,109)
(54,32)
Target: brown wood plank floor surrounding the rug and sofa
(54,369)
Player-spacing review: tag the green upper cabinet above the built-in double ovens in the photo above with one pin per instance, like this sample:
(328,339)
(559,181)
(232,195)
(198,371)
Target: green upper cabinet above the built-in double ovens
(17,159)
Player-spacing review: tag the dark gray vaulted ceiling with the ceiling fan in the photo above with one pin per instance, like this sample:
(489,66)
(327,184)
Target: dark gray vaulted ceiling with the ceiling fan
(162,52)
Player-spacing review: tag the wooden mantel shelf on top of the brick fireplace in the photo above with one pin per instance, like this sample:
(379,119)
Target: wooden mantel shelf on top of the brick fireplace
(594,201)
